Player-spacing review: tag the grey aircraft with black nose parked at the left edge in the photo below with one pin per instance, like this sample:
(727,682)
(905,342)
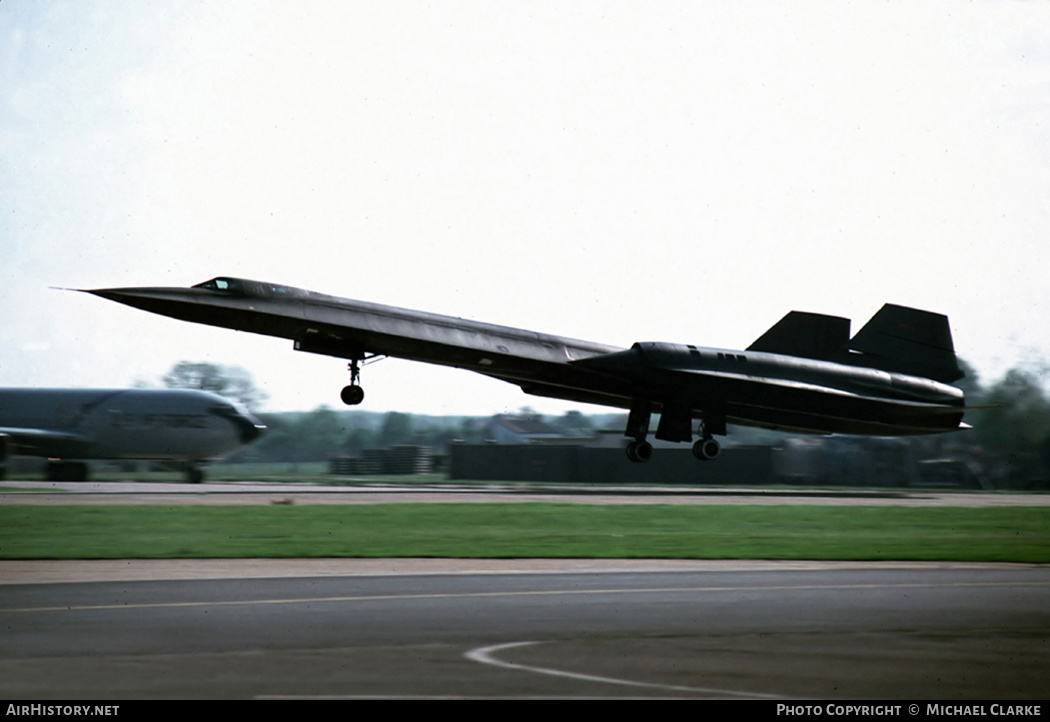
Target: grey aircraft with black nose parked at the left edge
(182,429)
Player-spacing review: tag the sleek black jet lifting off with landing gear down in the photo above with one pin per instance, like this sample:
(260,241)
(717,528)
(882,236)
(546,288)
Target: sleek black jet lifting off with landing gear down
(806,374)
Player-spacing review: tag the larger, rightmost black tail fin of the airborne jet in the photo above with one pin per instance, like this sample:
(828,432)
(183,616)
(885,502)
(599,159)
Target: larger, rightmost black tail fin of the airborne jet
(910,342)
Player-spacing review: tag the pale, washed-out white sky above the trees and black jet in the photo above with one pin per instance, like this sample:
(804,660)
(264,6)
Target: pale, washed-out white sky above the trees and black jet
(612,172)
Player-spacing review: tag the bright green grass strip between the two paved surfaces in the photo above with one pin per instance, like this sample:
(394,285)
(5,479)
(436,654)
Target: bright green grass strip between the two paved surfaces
(528,530)
